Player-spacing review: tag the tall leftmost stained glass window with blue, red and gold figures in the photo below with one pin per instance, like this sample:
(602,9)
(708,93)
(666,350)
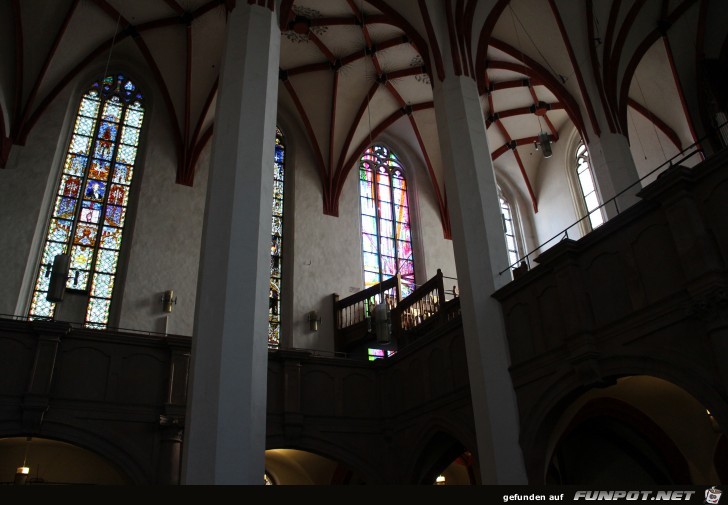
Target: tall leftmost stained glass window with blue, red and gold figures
(92,197)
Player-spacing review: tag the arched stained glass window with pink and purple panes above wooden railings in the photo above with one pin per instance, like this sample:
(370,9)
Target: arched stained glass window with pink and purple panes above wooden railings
(385,219)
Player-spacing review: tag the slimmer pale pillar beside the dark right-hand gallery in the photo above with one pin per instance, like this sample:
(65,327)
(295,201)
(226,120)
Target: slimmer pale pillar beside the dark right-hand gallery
(480,254)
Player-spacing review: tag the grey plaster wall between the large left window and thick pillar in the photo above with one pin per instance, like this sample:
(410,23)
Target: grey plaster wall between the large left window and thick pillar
(165,246)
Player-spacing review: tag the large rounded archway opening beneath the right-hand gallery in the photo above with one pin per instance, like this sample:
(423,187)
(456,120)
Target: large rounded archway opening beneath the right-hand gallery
(628,433)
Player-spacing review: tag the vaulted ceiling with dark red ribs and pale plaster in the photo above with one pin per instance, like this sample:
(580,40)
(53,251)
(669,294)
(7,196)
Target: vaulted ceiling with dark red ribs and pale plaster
(354,69)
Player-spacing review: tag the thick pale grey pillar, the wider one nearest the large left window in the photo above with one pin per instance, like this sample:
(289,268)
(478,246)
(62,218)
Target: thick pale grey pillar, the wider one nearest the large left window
(226,412)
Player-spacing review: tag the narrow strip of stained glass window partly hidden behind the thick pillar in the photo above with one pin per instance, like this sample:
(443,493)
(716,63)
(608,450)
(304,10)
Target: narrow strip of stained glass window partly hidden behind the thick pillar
(276,258)
